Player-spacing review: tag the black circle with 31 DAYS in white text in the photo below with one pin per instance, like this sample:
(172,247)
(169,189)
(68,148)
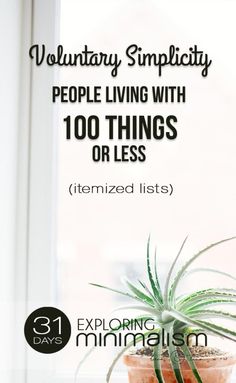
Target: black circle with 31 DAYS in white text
(47,330)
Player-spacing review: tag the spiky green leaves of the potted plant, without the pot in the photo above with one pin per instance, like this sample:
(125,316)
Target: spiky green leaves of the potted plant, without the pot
(174,313)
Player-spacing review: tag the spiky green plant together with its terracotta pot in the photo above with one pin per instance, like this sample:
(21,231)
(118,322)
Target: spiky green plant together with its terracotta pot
(191,313)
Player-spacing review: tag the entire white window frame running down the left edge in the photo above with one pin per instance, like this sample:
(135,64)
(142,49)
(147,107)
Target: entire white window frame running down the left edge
(29,260)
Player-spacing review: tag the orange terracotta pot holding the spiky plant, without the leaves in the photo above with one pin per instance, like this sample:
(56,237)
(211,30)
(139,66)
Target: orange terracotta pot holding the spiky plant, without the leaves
(212,370)
